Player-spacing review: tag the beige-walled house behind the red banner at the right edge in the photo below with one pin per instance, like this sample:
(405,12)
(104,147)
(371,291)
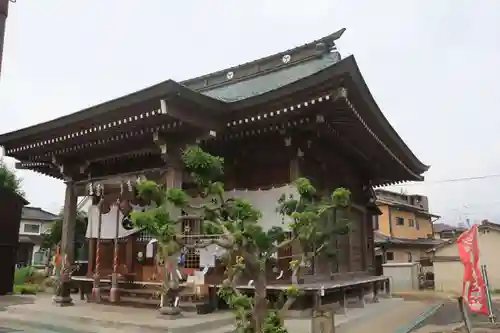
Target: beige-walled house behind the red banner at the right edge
(449,271)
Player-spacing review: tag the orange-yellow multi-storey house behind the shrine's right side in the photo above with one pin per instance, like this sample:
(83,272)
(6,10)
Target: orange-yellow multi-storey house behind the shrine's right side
(404,230)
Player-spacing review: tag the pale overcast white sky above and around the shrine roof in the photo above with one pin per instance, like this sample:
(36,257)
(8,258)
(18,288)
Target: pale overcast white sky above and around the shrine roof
(432,66)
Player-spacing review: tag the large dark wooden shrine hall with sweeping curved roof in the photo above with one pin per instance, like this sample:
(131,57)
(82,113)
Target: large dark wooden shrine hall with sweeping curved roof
(303,112)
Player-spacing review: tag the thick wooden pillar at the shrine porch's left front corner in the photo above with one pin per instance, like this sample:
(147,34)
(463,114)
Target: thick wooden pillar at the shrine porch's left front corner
(63,295)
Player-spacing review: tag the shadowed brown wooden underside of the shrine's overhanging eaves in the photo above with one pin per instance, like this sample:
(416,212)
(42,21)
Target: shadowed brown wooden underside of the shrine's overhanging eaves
(340,128)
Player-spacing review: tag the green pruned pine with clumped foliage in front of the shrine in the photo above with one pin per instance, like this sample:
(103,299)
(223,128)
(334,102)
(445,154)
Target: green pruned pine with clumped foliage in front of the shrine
(248,246)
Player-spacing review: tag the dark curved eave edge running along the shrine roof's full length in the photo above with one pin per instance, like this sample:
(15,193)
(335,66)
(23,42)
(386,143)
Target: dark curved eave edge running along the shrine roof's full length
(345,69)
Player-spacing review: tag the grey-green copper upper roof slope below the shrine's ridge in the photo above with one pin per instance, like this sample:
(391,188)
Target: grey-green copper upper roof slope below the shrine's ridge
(264,83)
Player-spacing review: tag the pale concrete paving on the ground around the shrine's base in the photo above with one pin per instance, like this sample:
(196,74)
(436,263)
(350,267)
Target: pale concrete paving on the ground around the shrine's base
(385,317)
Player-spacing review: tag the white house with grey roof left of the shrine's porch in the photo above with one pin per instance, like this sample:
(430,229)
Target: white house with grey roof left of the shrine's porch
(34,223)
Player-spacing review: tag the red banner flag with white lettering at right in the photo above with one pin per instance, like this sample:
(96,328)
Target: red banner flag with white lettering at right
(473,290)
